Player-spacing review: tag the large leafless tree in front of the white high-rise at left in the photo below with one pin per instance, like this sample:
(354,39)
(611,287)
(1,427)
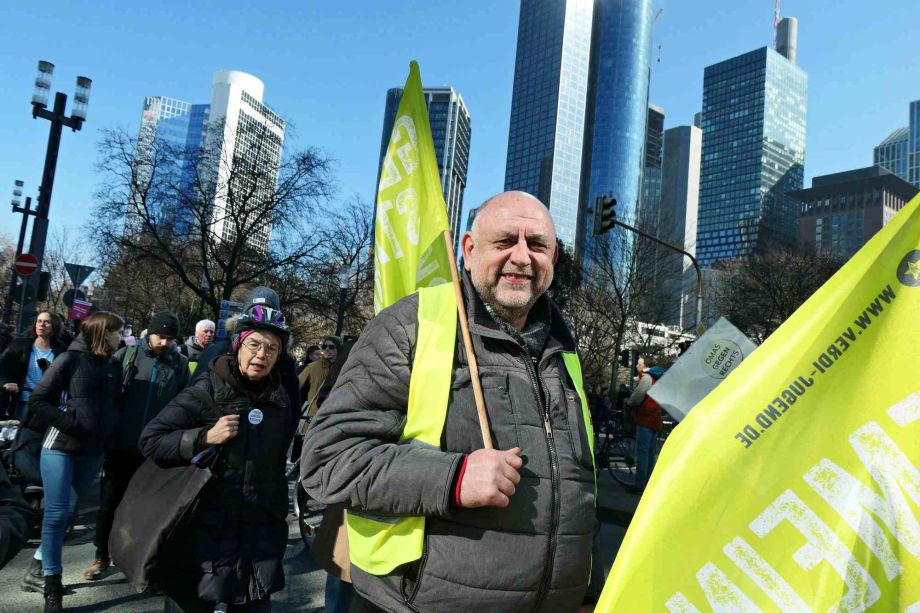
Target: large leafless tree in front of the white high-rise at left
(216,222)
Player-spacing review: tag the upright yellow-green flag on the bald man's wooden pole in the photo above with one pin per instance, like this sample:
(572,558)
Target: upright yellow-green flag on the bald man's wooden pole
(409,250)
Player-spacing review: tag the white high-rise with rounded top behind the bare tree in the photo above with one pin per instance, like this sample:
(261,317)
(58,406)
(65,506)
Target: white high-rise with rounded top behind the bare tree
(252,136)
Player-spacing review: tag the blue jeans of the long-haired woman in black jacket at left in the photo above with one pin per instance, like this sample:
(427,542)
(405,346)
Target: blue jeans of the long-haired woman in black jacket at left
(64,477)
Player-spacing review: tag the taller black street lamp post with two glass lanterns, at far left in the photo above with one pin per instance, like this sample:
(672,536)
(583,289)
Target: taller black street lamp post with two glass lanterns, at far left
(58,120)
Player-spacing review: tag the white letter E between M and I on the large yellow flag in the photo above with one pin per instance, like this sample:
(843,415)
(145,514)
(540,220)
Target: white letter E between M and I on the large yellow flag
(823,546)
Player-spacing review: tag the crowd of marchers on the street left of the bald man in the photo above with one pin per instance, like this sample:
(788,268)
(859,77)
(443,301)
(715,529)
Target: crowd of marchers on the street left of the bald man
(93,407)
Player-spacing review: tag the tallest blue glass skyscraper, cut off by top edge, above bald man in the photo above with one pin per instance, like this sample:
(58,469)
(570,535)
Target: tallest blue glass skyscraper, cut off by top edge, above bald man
(579,106)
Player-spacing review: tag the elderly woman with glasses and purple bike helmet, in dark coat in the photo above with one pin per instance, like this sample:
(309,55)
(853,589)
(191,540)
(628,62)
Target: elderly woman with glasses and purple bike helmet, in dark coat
(227,551)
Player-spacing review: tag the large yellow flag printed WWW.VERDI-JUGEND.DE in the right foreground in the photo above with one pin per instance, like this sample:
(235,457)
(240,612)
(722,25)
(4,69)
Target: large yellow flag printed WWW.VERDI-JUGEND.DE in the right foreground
(795,485)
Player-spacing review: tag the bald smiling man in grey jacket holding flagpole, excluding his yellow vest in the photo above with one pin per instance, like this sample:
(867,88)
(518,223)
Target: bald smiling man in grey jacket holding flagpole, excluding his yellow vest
(507,529)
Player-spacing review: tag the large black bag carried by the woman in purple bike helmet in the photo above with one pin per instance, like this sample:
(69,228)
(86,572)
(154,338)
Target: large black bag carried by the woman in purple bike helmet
(156,501)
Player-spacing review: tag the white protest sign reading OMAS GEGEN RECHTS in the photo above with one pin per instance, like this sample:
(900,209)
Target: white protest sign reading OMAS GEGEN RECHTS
(708,361)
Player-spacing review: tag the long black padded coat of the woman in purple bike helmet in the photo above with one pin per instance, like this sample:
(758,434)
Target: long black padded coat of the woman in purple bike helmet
(231,545)
